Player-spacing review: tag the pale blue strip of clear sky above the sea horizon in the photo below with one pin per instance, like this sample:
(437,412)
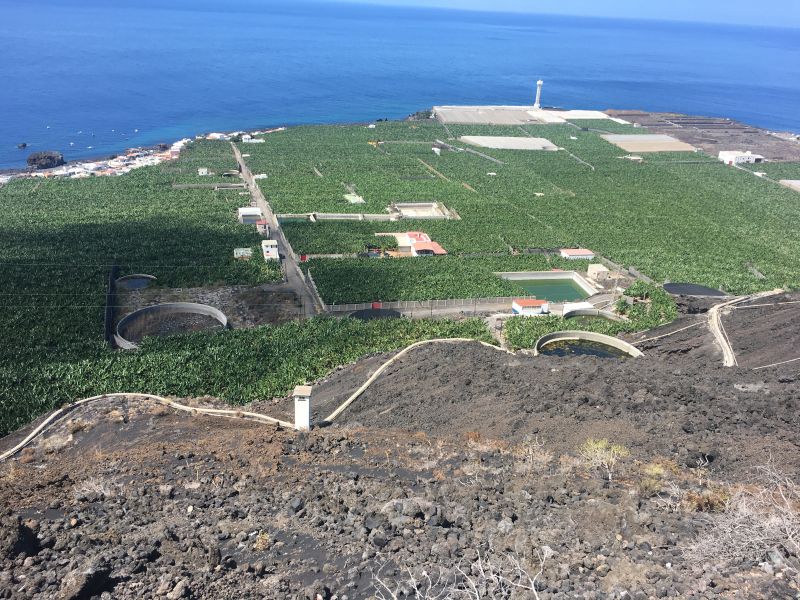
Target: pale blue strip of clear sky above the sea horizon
(778,13)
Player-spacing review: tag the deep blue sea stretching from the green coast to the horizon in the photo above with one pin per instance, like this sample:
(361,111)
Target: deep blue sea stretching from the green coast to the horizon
(92,77)
